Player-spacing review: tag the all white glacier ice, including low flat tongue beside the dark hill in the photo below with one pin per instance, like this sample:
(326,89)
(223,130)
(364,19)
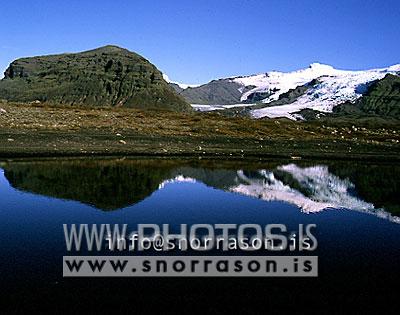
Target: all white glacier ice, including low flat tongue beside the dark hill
(334,87)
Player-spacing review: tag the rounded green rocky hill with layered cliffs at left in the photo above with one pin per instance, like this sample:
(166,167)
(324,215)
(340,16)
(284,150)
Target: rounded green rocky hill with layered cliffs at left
(106,76)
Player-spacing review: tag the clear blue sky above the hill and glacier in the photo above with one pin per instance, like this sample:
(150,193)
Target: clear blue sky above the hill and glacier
(195,41)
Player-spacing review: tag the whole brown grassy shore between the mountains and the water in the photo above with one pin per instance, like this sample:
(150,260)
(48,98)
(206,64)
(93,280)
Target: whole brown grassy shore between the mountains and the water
(37,130)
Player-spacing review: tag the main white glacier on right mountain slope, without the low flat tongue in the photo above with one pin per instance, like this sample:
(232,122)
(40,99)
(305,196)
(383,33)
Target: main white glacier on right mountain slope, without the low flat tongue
(334,87)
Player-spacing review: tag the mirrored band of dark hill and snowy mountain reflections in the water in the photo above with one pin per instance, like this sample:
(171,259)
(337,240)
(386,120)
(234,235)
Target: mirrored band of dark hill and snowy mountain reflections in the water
(311,186)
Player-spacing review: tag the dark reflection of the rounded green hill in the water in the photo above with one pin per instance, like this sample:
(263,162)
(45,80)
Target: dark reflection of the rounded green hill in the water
(107,185)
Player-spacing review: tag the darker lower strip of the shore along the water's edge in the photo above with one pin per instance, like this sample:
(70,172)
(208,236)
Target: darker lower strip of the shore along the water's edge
(26,144)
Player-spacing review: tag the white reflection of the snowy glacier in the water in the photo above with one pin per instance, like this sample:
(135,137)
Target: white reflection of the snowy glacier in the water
(312,189)
